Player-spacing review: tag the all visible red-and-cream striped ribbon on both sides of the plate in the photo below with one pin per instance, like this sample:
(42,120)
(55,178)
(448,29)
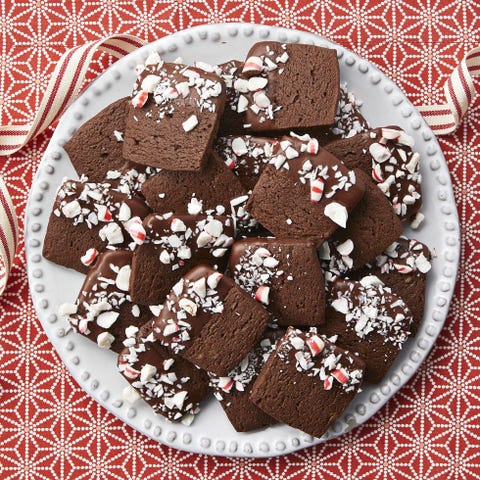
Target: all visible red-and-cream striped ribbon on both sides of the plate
(68,77)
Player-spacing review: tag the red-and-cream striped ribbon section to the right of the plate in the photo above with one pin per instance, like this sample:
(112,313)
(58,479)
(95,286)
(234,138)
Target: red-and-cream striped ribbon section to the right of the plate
(459,93)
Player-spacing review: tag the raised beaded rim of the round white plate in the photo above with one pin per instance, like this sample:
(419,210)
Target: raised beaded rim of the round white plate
(281,439)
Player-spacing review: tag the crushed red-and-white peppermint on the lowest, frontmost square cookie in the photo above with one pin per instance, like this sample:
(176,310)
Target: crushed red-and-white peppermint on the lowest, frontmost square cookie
(316,356)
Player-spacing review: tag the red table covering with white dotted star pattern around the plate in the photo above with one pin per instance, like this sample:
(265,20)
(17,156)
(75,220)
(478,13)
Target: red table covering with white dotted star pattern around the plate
(50,429)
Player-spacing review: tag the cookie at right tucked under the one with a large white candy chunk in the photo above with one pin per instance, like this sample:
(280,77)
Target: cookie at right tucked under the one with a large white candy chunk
(371,228)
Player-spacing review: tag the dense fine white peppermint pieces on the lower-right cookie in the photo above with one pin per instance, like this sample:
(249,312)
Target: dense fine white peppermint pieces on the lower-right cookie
(370,307)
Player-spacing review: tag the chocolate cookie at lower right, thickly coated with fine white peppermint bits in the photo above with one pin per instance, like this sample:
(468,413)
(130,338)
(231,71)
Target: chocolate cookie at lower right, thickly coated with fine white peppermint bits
(367,318)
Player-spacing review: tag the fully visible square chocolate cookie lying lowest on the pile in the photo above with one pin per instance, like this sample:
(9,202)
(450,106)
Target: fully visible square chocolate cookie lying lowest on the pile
(307,382)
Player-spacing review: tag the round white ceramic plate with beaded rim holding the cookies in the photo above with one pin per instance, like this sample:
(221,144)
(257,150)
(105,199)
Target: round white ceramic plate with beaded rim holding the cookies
(95,369)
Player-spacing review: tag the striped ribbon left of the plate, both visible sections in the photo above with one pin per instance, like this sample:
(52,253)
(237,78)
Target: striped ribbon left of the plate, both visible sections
(62,89)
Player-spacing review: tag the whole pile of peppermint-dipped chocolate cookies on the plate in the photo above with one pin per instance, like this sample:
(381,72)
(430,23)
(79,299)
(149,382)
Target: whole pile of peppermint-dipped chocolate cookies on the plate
(240,228)
